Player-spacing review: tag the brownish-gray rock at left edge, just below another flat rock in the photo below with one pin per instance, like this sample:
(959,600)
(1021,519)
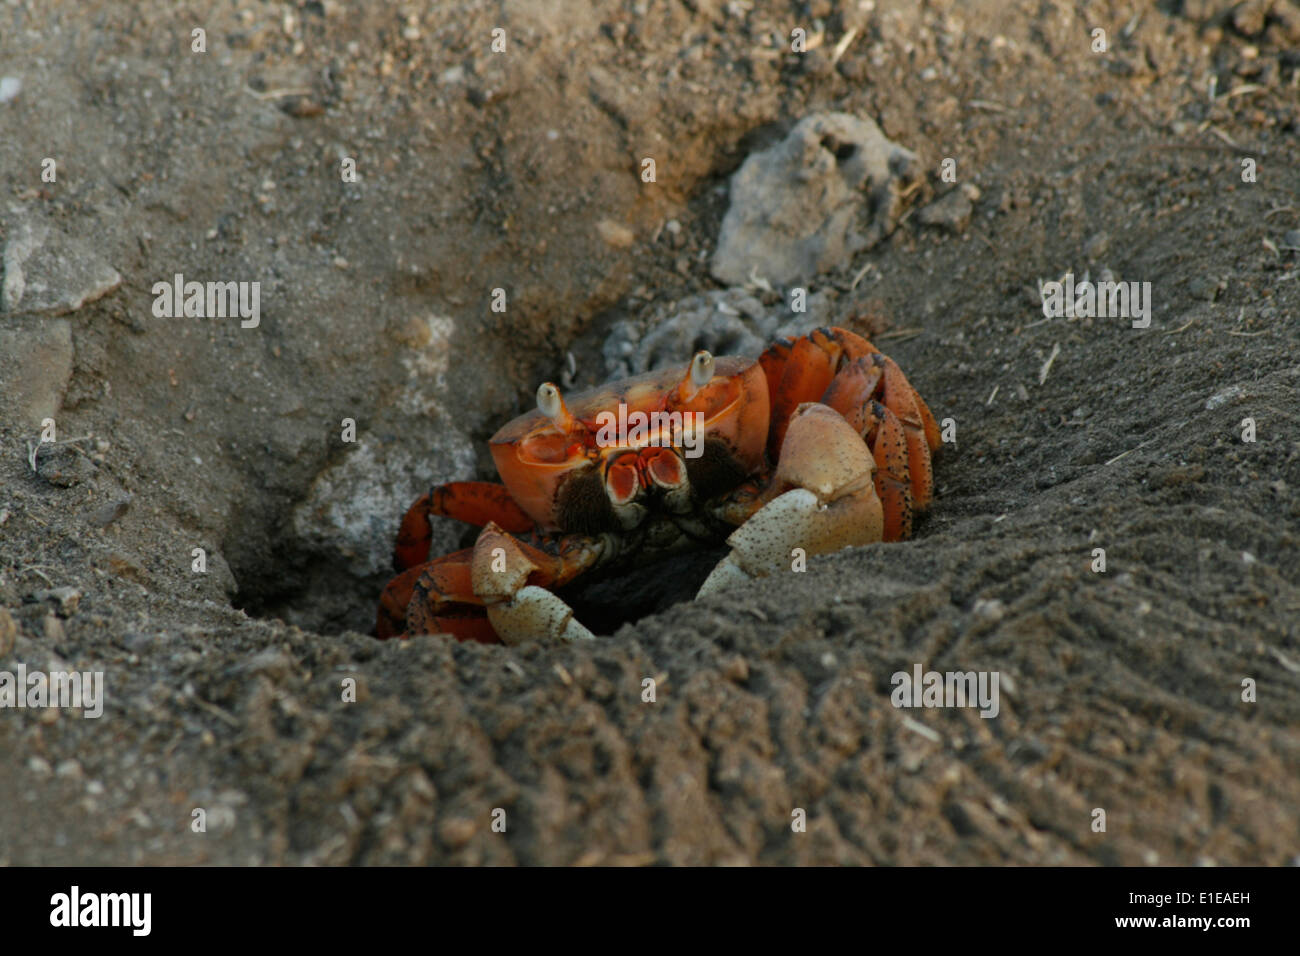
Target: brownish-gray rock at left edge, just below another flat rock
(36,366)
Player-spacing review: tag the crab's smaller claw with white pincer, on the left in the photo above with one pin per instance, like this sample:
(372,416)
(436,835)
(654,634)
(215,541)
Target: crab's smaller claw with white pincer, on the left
(519,612)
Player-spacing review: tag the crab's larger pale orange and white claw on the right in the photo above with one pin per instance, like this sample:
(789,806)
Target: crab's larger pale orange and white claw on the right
(822,499)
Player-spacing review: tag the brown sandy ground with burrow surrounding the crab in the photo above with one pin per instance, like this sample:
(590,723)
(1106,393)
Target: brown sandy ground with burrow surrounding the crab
(1123,691)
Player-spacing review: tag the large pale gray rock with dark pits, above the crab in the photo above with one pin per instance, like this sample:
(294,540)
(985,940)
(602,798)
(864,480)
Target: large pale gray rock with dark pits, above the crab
(808,205)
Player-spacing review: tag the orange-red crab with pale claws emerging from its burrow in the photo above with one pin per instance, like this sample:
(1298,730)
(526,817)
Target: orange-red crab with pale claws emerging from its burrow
(820,444)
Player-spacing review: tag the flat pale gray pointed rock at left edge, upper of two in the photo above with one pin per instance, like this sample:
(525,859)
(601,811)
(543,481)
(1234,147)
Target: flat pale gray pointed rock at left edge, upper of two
(47,272)
